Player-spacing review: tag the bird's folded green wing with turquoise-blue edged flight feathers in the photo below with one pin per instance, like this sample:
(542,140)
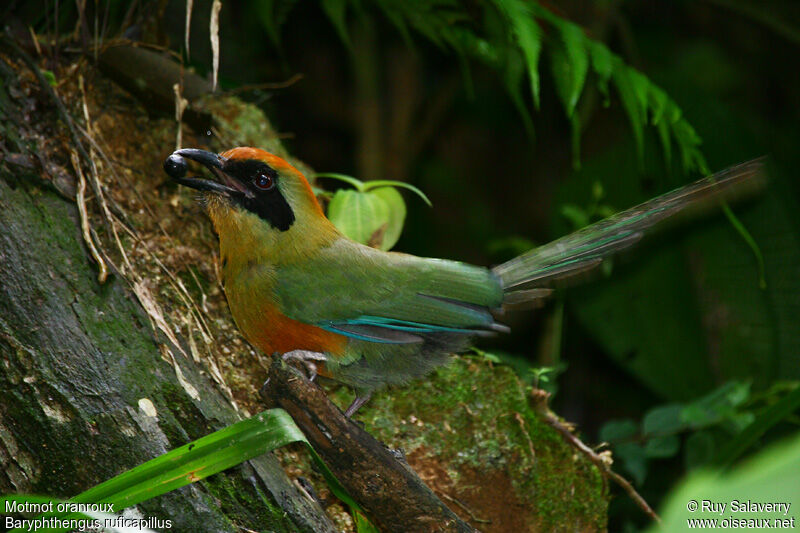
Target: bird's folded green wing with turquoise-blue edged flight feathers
(386,296)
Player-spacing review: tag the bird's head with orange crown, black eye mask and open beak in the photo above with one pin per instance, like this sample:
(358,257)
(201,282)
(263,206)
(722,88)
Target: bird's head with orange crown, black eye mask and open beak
(257,197)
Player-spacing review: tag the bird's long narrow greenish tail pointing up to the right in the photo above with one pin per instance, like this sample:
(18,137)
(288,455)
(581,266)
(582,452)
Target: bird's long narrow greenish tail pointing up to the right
(532,274)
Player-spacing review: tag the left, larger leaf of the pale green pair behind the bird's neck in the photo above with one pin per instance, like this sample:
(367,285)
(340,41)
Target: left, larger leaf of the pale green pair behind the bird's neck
(361,216)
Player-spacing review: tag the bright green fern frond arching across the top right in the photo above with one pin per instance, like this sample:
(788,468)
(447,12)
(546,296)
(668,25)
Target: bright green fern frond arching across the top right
(509,36)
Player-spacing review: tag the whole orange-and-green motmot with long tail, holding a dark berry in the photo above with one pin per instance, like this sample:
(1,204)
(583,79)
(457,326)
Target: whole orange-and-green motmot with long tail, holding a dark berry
(370,318)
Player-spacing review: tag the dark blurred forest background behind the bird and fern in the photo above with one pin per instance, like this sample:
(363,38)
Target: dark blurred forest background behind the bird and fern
(677,350)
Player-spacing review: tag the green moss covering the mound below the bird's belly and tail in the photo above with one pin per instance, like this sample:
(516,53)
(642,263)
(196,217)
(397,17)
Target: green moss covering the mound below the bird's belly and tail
(475,420)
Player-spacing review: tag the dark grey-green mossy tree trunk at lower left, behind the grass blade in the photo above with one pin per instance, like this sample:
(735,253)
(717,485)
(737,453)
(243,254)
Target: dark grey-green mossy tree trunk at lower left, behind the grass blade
(81,368)
